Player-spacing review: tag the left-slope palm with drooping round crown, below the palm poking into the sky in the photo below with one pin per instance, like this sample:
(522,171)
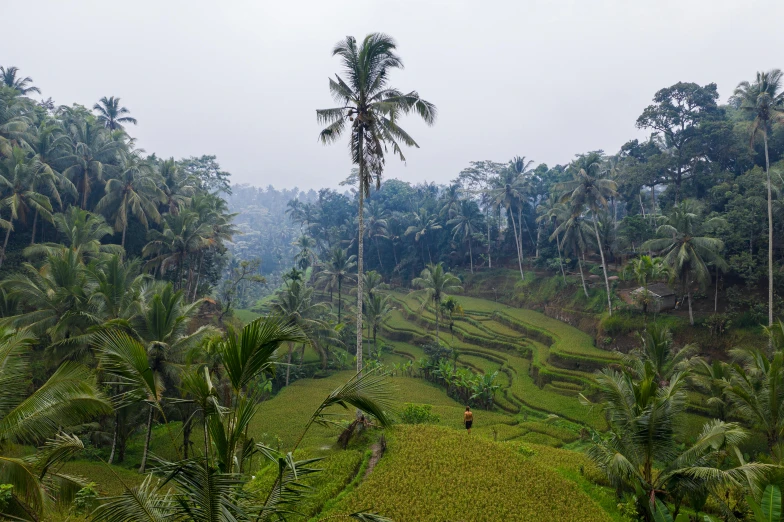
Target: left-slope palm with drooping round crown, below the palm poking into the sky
(134,190)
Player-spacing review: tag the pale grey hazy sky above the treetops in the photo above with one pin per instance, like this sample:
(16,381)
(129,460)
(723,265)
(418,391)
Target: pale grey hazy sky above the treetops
(242,80)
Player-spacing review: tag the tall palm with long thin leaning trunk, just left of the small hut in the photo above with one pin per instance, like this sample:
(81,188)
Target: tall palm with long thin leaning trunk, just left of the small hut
(589,191)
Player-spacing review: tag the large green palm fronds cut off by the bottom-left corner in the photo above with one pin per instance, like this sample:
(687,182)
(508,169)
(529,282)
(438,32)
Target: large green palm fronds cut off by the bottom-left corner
(69,397)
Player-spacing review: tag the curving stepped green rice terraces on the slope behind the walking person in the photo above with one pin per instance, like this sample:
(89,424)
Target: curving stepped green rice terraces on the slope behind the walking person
(544,364)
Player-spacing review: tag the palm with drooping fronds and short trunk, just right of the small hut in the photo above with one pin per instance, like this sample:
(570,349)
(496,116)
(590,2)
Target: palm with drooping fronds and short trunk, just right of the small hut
(684,251)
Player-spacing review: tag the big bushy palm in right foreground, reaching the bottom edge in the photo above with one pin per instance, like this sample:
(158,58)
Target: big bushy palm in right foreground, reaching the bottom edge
(640,454)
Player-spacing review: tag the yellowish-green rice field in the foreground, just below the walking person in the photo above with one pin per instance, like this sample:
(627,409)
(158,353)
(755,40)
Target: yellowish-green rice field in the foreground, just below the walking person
(434,474)
